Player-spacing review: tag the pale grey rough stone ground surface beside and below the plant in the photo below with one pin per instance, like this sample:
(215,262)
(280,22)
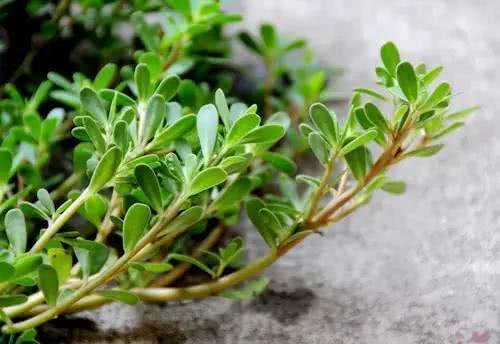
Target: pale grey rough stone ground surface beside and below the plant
(421,268)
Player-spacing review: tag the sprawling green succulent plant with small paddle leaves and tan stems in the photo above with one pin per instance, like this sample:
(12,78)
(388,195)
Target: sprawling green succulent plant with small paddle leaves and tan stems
(167,166)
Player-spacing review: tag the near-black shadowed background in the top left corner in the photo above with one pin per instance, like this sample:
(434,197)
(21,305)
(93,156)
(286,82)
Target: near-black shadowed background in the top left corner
(35,46)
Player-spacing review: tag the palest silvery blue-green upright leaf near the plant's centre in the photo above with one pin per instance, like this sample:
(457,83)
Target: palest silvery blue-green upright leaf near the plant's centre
(206,124)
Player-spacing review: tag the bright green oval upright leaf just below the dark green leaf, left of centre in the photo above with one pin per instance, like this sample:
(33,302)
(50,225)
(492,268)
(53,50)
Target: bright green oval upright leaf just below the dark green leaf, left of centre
(135,225)
